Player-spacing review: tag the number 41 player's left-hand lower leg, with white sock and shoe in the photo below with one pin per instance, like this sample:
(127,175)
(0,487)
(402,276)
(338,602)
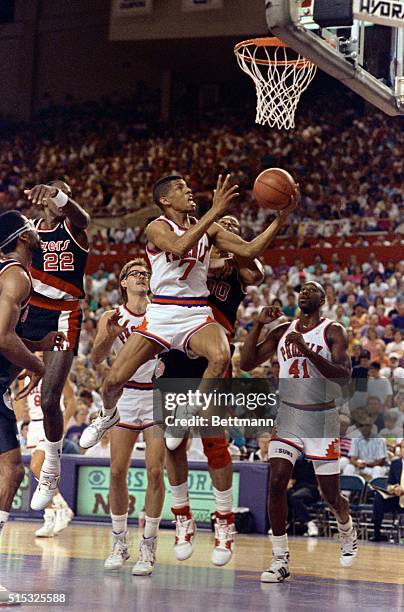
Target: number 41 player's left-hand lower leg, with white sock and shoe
(280,474)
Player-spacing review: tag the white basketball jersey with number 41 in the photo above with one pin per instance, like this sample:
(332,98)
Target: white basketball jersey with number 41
(296,373)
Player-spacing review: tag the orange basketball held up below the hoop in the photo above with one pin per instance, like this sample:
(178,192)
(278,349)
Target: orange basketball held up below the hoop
(273,188)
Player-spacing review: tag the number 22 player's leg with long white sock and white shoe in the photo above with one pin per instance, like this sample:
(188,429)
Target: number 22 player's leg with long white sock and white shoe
(57,368)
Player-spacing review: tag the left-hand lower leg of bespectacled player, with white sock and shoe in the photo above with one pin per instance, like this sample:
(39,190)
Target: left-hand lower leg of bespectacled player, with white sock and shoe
(122,442)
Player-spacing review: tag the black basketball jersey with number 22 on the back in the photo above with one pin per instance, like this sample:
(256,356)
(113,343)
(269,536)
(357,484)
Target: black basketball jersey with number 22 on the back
(58,273)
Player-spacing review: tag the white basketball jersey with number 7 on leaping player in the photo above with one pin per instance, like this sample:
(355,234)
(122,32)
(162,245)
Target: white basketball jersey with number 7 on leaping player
(180,277)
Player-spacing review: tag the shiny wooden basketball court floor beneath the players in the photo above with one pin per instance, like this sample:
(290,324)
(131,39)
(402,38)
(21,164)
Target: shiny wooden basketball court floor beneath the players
(72,563)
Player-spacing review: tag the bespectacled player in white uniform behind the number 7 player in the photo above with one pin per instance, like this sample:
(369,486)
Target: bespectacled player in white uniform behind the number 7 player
(136,415)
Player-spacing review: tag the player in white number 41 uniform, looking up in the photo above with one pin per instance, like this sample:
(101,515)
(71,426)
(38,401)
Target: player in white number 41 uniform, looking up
(308,349)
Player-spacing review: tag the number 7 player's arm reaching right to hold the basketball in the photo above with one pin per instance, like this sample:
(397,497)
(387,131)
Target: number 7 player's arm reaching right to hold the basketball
(227,241)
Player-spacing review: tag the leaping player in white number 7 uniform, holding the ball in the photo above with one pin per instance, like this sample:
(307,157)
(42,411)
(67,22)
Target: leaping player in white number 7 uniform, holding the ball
(178,316)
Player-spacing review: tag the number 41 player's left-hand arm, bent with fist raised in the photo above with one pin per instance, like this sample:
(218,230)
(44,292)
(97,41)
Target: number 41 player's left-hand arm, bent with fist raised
(252,353)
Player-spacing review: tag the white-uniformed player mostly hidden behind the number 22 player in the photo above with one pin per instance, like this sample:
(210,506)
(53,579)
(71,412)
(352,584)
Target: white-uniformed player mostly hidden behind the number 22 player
(57,515)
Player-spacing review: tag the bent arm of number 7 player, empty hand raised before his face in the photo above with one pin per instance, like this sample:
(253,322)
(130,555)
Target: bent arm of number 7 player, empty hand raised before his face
(161,236)
